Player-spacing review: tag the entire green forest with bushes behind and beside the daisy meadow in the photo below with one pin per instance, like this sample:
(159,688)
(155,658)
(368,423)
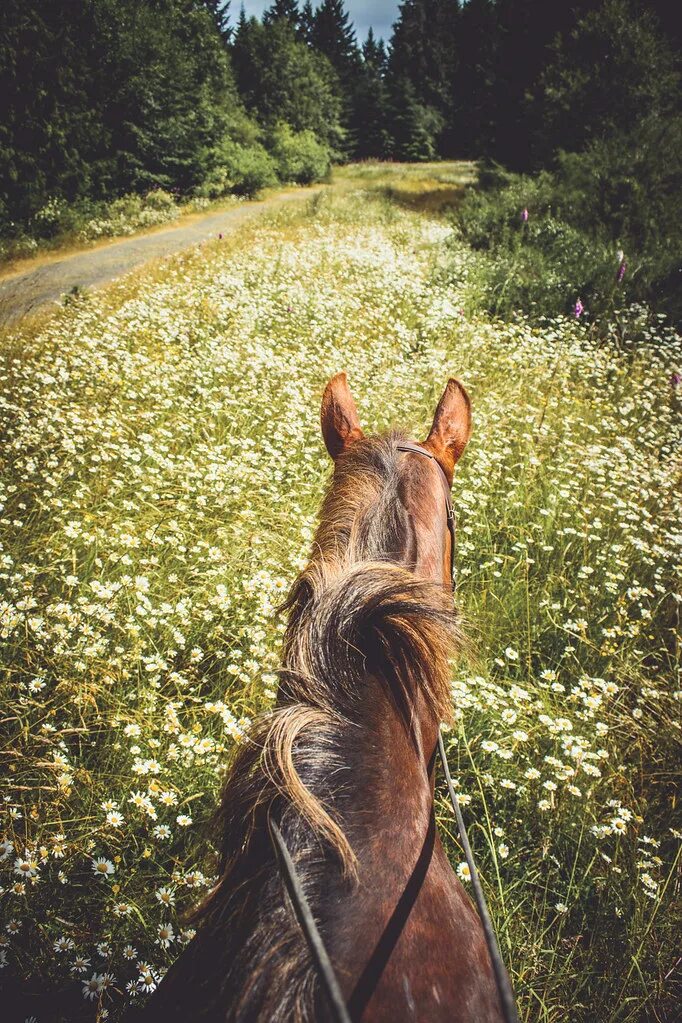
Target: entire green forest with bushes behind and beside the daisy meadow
(574,111)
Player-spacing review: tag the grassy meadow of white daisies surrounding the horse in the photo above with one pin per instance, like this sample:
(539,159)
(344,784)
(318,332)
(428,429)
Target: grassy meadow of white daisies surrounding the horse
(162,469)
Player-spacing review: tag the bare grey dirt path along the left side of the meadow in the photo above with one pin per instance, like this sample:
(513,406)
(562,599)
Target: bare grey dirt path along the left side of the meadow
(31,290)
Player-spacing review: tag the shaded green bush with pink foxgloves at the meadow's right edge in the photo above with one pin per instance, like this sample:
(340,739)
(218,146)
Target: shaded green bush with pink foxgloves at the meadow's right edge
(620,195)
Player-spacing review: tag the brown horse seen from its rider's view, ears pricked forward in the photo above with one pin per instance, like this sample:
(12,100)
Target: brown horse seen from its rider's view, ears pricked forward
(345,766)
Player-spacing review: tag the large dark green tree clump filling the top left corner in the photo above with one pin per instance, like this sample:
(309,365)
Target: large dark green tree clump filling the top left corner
(90,107)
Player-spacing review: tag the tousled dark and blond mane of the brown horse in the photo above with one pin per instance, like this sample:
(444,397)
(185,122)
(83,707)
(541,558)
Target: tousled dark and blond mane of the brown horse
(357,617)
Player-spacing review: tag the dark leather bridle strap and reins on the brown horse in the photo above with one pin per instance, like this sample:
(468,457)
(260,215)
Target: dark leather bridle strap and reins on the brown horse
(300,903)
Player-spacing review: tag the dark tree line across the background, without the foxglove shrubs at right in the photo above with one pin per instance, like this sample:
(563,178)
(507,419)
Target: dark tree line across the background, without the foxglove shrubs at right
(101,98)
